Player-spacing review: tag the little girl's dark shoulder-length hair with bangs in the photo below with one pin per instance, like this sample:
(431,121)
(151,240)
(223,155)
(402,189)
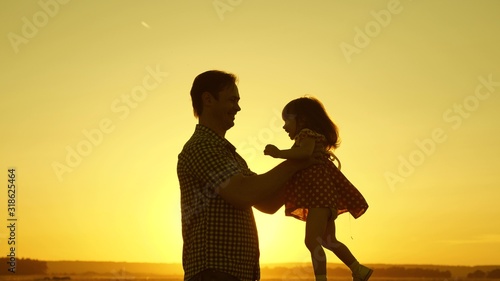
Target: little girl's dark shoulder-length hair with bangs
(310,113)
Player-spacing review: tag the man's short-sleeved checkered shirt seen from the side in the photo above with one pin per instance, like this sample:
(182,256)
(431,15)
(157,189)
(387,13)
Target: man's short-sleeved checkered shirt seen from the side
(216,234)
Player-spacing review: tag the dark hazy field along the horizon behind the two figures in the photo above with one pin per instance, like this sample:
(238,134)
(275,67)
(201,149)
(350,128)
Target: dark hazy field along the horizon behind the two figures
(120,271)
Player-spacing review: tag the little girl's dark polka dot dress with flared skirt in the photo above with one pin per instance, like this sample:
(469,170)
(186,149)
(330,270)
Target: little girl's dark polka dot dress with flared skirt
(321,186)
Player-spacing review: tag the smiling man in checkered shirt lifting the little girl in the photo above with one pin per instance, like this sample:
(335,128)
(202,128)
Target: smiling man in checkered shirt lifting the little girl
(218,189)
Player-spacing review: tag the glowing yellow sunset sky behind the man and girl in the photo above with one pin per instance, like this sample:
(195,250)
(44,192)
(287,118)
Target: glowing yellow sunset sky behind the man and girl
(95,108)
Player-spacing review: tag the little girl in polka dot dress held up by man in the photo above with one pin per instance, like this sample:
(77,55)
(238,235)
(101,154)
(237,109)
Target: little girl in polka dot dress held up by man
(319,193)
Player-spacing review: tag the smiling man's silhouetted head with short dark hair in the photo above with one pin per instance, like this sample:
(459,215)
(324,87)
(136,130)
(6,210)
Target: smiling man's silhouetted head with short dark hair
(215,100)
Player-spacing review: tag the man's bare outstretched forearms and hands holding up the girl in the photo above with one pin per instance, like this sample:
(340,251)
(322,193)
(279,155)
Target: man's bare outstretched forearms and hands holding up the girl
(247,191)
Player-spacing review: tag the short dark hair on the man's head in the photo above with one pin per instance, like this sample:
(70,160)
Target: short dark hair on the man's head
(212,81)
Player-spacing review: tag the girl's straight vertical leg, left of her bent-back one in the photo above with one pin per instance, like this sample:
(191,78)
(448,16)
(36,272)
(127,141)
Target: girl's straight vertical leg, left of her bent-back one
(316,224)
